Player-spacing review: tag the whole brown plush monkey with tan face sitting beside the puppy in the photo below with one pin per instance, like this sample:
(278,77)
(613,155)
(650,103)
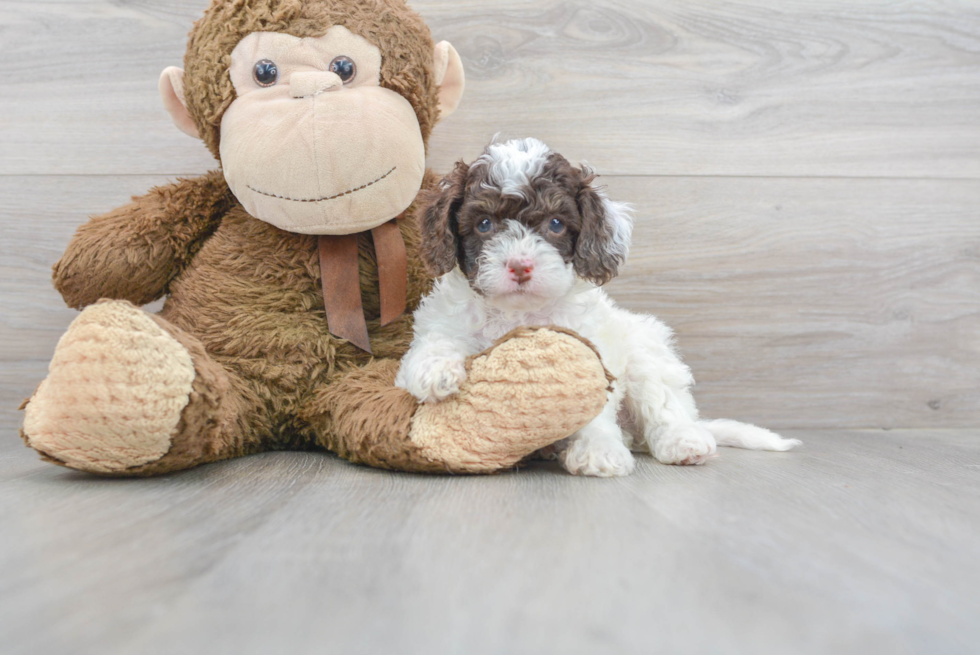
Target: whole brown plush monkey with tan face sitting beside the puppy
(319,112)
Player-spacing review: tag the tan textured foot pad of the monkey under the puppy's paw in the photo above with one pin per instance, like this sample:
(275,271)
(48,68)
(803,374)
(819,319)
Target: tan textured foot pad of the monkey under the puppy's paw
(534,387)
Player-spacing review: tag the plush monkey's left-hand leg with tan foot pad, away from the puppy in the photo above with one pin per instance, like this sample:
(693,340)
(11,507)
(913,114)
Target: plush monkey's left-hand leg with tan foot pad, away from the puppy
(130,394)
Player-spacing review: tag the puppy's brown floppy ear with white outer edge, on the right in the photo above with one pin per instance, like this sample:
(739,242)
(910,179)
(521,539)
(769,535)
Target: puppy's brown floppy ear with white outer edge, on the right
(607,227)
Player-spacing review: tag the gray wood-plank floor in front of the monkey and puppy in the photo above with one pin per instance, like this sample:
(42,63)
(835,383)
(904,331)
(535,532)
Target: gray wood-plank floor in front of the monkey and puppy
(861,542)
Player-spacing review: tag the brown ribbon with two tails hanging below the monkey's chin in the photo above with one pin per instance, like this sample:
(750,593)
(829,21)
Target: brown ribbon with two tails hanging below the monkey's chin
(341,281)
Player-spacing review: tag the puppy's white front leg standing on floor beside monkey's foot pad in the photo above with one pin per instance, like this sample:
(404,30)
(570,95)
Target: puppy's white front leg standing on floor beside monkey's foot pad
(597,449)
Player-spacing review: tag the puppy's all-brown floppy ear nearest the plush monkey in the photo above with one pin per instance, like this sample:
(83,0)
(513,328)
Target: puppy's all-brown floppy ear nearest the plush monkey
(437,221)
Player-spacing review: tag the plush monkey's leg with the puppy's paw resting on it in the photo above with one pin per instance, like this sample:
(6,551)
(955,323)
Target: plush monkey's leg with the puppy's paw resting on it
(530,390)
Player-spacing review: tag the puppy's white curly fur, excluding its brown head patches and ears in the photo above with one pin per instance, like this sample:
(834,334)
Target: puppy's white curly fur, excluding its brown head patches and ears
(652,391)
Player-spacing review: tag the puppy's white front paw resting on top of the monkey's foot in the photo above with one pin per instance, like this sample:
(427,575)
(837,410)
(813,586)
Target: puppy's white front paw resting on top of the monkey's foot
(433,368)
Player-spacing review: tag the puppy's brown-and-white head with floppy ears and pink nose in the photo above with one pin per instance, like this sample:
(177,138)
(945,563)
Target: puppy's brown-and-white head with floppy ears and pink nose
(521,223)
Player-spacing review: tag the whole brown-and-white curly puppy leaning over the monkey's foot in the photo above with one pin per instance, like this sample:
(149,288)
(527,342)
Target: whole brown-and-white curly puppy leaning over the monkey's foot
(523,238)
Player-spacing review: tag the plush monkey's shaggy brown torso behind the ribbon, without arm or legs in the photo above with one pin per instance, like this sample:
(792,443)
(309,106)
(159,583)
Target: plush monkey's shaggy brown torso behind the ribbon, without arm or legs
(266,325)
